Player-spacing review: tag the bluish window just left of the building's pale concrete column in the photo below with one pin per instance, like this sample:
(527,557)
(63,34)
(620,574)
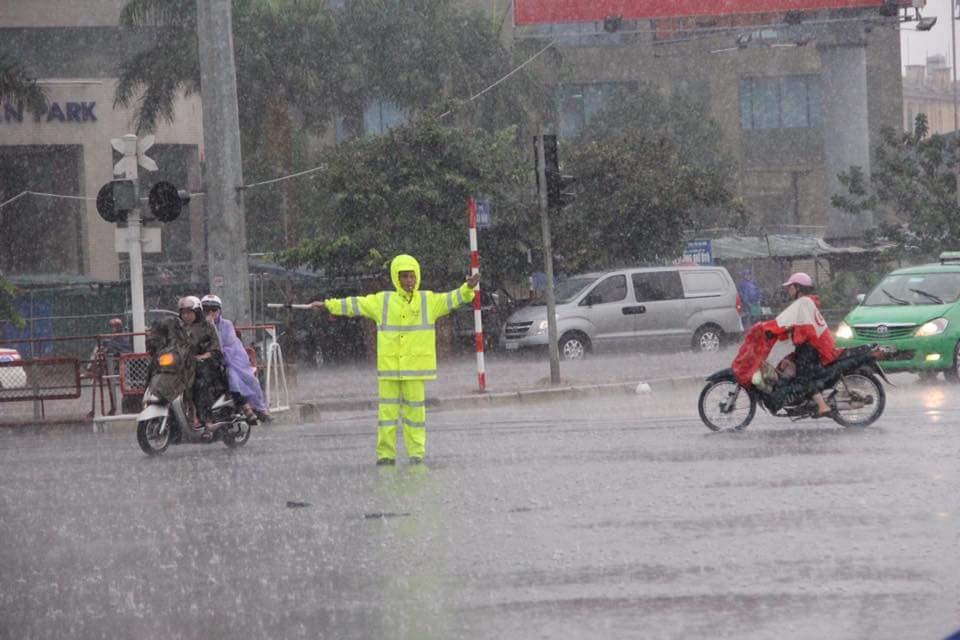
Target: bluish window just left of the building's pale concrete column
(791,102)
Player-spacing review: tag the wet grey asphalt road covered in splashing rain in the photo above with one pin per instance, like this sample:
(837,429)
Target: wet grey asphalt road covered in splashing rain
(612,518)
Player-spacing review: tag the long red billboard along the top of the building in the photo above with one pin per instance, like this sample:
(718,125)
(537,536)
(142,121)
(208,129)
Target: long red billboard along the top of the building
(554,11)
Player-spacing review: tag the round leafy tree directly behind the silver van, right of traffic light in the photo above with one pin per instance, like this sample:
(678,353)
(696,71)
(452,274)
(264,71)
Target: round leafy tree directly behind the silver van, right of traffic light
(650,169)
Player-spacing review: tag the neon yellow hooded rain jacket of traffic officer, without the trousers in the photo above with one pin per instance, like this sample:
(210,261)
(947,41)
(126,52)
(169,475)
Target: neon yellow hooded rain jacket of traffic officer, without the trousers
(406,334)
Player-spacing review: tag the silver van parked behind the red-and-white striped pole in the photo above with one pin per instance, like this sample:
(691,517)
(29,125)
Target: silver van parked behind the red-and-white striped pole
(682,306)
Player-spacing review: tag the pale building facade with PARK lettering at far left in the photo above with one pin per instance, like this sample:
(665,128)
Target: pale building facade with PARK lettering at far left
(74,49)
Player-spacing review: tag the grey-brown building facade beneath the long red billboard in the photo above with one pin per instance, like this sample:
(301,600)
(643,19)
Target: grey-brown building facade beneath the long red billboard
(797,105)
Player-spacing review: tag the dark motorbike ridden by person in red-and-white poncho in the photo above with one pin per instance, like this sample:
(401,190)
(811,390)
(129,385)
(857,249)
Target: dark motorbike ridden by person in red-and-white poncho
(851,386)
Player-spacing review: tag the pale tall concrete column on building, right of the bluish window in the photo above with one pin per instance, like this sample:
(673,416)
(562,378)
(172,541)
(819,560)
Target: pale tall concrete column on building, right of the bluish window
(846,136)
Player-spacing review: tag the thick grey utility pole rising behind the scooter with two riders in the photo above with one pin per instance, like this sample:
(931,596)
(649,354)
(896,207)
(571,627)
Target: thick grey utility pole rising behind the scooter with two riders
(226,224)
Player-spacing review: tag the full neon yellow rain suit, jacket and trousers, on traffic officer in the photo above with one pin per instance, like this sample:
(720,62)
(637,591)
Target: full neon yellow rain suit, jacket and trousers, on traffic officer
(406,351)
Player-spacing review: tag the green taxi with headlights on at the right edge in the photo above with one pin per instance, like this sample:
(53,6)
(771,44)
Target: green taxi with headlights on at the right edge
(916,310)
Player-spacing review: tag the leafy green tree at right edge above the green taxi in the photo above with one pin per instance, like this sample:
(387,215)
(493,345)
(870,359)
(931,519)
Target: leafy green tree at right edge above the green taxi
(913,186)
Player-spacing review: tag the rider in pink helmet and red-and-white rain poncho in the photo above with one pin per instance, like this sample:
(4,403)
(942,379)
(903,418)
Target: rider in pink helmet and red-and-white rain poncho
(803,322)
